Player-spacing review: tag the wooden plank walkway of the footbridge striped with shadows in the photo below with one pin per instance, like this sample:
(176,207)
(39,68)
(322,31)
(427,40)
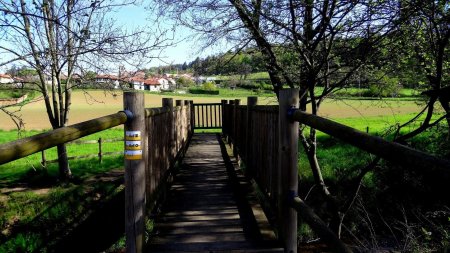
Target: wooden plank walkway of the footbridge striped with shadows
(205,210)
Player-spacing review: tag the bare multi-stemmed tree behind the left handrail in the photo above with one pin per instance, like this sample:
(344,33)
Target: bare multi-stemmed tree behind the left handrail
(60,37)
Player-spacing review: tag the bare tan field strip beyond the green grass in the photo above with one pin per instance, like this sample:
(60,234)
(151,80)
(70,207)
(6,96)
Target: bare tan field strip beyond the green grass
(93,104)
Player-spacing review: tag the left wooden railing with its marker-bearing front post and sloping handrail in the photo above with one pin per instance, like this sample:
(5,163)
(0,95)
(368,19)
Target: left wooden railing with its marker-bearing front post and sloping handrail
(154,139)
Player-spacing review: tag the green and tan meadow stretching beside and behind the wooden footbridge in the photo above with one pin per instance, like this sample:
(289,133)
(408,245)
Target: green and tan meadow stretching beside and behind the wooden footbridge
(31,197)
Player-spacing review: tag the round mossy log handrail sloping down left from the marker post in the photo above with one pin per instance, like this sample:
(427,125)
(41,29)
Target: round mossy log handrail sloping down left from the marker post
(30,145)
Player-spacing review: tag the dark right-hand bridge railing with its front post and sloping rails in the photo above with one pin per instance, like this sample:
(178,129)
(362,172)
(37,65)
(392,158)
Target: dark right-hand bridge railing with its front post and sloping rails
(265,139)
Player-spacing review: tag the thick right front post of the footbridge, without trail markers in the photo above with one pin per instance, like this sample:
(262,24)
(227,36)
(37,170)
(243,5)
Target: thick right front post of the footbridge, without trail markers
(287,169)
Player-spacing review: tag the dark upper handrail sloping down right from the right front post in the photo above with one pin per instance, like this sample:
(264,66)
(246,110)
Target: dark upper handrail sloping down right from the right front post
(391,151)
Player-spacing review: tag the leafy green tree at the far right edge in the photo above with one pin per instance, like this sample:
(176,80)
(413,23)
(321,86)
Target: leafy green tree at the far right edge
(427,32)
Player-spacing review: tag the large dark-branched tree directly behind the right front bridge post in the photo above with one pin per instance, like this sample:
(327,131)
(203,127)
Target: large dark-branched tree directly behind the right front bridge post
(304,43)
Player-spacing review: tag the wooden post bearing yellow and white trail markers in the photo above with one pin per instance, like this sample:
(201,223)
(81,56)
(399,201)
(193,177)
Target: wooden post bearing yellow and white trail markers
(135,133)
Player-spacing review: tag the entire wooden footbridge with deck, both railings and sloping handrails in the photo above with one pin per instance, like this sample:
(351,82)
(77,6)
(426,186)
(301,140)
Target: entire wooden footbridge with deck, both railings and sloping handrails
(233,192)
